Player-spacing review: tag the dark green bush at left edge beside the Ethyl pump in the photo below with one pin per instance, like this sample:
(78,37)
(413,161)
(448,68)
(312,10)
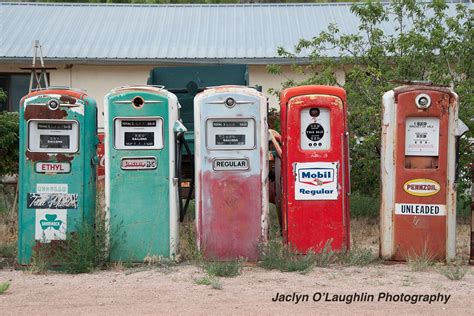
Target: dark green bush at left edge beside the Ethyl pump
(9,132)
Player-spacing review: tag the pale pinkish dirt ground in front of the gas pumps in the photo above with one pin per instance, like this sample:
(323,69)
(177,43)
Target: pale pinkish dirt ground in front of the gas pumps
(173,290)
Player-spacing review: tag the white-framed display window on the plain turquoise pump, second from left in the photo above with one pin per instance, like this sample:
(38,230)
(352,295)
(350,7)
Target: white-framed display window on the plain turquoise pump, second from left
(138,133)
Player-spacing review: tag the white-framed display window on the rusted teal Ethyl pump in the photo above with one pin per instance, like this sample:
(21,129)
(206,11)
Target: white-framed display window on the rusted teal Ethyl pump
(53,136)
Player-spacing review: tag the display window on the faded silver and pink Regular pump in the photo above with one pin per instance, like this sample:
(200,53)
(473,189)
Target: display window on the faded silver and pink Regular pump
(230,133)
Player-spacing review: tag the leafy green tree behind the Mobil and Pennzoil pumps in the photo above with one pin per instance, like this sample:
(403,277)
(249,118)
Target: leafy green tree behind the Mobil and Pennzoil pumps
(427,45)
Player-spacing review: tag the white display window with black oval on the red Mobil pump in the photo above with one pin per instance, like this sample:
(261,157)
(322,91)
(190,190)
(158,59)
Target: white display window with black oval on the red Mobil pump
(315,128)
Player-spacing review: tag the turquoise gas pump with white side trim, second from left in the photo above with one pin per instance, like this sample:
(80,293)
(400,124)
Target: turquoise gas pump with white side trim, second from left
(141,189)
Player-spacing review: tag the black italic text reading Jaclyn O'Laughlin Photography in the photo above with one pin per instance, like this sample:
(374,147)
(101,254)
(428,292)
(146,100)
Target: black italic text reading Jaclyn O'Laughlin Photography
(297,298)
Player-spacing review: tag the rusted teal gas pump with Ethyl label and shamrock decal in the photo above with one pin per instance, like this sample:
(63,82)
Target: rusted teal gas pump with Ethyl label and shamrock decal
(57,167)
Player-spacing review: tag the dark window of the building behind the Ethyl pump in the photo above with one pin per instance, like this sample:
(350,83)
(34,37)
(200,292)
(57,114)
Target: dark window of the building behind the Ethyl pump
(16,86)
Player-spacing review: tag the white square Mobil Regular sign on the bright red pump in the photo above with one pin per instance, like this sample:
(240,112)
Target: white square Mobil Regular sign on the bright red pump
(316,181)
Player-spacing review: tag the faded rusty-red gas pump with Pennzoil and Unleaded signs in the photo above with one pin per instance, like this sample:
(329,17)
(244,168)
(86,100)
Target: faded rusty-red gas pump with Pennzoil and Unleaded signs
(418,162)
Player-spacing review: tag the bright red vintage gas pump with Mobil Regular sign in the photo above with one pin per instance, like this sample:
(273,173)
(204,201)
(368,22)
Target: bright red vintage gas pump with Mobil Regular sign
(315,168)
